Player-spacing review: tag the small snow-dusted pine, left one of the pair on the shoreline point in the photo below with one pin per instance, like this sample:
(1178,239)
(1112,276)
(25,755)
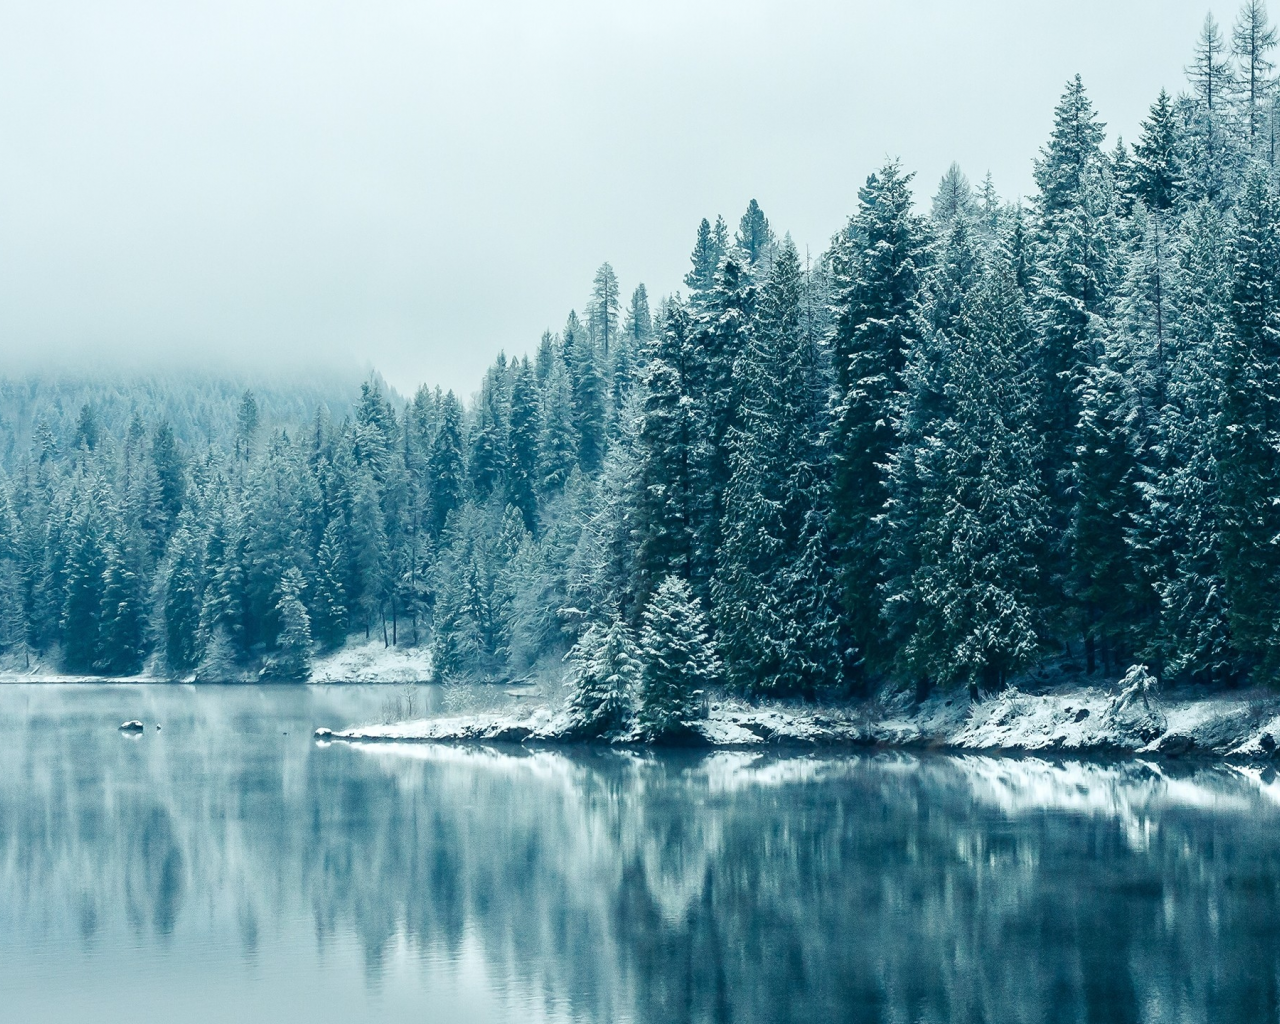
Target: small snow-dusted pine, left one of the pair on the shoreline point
(605,678)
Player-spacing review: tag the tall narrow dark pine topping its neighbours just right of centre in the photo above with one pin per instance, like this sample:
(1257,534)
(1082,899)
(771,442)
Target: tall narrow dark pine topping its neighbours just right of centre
(877,271)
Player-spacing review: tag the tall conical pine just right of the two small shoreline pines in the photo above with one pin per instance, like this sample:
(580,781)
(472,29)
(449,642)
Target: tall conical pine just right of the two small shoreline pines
(774,593)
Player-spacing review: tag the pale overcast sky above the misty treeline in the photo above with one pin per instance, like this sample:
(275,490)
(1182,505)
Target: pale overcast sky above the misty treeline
(420,185)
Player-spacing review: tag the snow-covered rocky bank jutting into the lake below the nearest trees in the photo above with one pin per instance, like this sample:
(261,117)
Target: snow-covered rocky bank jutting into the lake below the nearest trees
(1069,720)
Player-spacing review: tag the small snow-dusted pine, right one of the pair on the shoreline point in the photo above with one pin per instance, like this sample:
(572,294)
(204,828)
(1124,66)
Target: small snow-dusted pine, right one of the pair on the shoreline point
(678,662)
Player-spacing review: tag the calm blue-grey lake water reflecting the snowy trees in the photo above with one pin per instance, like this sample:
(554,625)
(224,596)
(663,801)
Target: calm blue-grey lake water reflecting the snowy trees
(231,868)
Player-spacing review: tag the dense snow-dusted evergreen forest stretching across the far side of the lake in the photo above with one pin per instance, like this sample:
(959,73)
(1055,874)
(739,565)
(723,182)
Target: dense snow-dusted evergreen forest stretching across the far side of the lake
(952,449)
